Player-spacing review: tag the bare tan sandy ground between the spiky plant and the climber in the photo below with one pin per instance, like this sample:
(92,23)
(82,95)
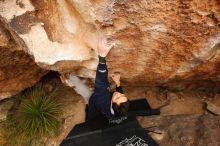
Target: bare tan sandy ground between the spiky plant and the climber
(73,112)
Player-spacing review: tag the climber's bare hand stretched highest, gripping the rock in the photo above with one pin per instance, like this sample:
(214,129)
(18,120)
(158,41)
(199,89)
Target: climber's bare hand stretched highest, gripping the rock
(104,46)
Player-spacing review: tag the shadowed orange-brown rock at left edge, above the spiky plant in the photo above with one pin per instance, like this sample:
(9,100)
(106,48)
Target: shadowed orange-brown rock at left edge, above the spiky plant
(17,69)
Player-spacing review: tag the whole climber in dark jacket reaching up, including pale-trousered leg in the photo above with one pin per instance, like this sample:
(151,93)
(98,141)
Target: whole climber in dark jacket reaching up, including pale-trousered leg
(101,103)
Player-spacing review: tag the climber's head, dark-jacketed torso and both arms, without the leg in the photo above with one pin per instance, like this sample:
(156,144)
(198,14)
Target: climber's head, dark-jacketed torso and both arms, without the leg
(113,106)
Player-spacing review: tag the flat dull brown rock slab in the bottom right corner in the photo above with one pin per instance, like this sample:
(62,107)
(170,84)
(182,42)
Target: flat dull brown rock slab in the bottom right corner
(184,130)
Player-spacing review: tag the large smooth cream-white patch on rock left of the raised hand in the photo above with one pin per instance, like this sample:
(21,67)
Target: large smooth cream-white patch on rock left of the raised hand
(48,52)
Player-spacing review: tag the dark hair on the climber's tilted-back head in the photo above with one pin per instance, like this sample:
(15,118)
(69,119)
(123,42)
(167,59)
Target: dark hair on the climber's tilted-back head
(122,109)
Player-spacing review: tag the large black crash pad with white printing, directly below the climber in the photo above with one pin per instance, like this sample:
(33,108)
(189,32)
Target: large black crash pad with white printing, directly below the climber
(130,133)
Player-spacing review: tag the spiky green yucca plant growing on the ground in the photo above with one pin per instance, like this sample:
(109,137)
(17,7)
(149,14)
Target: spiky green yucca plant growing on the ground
(37,115)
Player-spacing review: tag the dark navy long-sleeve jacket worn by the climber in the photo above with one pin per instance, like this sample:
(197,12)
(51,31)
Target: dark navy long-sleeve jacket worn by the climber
(100,101)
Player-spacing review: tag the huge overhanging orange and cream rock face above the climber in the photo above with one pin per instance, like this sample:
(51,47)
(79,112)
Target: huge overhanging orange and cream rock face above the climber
(156,42)
